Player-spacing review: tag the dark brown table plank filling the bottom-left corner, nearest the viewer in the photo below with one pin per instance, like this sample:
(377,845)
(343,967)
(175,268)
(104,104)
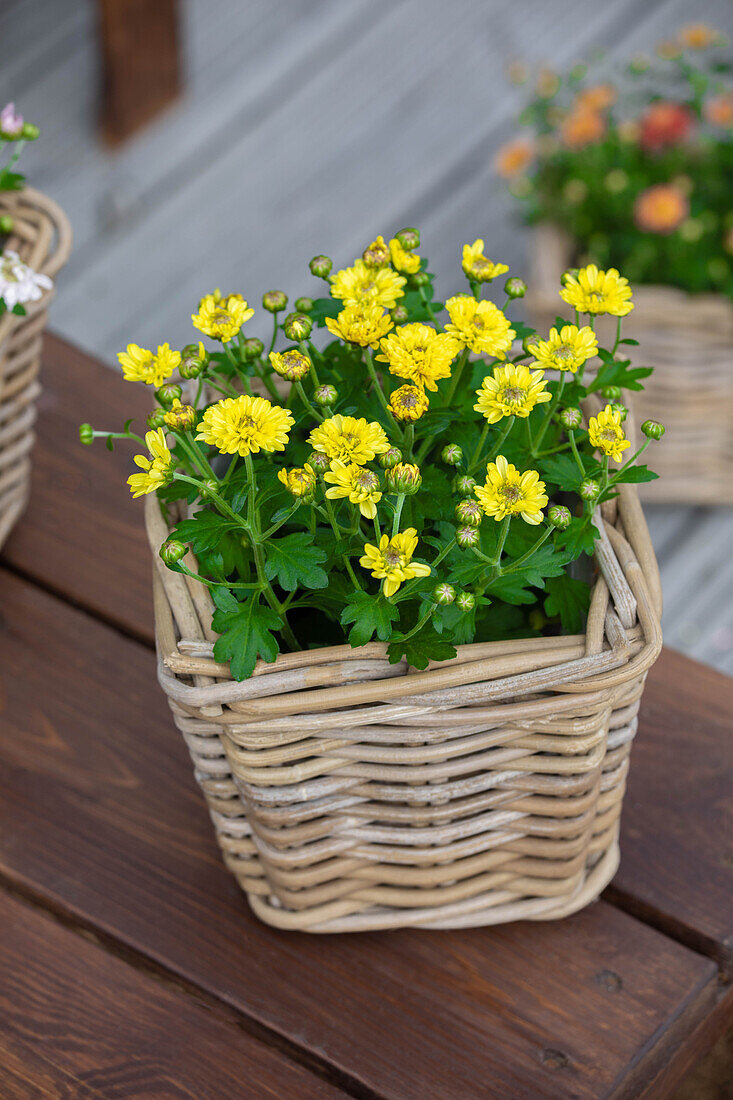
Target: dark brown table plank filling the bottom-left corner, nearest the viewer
(78,1022)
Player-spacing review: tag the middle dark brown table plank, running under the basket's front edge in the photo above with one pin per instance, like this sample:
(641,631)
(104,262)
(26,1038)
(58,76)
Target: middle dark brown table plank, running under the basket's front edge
(101,819)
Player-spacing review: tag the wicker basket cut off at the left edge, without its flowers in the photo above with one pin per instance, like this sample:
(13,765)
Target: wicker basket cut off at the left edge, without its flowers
(42,236)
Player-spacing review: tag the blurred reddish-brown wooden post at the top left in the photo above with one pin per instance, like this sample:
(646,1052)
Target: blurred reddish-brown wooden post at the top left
(140,62)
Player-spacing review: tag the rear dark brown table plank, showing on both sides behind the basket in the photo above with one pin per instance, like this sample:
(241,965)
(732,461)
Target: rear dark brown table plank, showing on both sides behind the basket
(675,870)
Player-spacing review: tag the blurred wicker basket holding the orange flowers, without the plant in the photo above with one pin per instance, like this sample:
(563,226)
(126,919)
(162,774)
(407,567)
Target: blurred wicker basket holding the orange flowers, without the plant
(690,342)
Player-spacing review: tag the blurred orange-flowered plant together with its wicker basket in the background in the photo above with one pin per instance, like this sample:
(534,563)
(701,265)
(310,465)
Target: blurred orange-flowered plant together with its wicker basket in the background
(631,169)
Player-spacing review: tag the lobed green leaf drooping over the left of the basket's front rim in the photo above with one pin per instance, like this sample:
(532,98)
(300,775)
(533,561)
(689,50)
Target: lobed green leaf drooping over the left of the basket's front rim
(246,633)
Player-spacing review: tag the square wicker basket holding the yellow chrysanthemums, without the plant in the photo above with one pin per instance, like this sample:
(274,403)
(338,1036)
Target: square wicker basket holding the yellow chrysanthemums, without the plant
(353,795)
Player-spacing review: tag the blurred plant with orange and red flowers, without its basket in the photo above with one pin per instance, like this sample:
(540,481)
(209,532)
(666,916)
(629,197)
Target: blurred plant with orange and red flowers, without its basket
(638,169)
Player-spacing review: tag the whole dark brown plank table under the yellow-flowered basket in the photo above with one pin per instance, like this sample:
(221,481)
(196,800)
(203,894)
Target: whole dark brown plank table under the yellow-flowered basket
(132,965)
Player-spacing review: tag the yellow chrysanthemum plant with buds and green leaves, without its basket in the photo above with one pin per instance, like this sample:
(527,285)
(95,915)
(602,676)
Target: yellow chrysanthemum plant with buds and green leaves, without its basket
(388,467)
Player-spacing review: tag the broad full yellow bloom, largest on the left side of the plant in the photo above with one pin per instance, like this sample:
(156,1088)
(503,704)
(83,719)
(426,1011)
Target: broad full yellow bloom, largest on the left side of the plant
(246,426)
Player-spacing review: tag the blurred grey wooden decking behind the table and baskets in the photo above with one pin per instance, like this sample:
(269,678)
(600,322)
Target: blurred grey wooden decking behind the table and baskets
(312,126)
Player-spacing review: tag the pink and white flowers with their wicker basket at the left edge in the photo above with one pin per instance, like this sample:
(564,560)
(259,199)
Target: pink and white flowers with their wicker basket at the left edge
(36,241)
